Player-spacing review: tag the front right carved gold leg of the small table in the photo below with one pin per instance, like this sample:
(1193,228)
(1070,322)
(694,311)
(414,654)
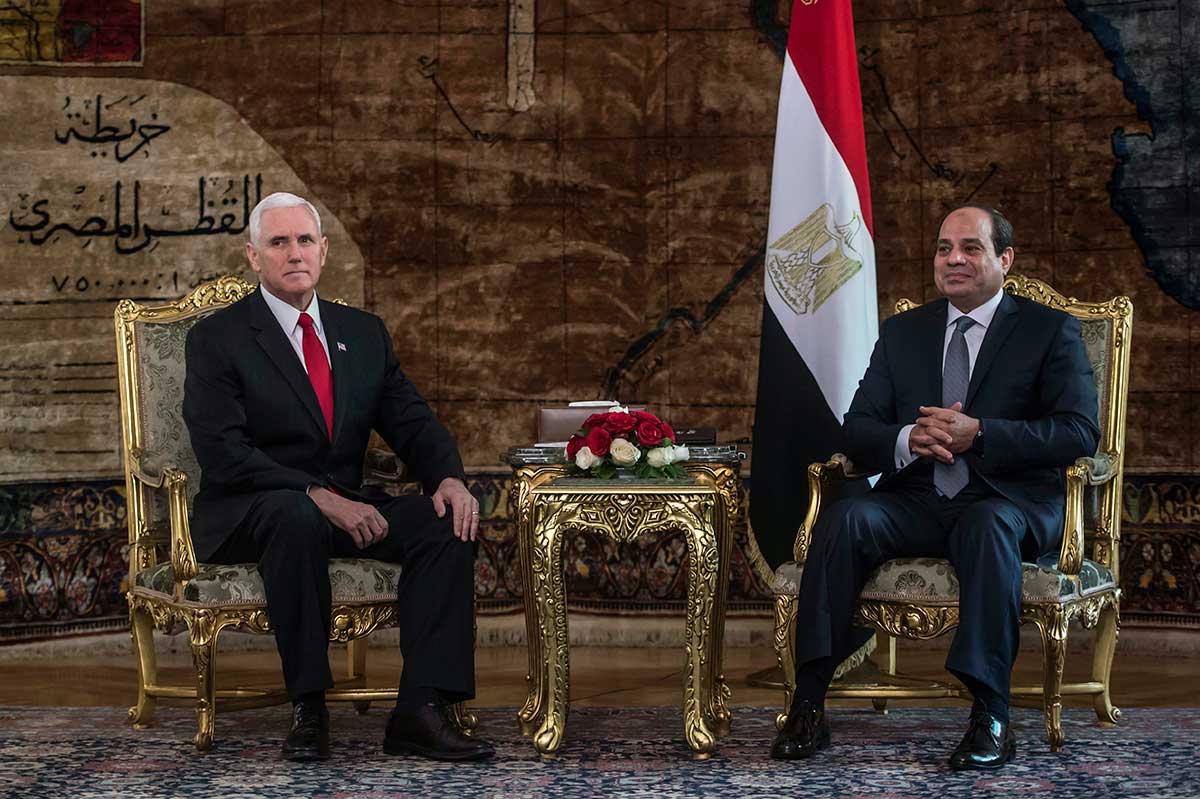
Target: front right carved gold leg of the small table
(704,568)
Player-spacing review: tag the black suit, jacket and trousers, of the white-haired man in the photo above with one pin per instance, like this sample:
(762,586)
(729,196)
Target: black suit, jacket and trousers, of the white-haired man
(261,441)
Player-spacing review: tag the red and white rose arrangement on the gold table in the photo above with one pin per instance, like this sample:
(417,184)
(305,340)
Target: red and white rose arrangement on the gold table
(627,438)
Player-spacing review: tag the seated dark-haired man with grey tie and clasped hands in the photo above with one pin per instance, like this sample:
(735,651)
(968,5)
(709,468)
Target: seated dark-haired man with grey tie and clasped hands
(971,407)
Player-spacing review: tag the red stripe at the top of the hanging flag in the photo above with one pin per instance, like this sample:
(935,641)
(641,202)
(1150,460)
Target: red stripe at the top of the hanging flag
(821,45)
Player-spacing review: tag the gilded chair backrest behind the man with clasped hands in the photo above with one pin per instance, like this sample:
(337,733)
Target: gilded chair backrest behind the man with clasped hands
(1107,332)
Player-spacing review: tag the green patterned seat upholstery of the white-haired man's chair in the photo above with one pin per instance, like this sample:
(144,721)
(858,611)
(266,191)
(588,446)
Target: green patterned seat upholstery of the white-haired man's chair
(355,581)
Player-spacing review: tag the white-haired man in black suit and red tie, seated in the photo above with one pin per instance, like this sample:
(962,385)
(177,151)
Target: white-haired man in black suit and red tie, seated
(283,393)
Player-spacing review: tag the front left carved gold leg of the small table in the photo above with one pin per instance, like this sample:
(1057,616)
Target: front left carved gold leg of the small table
(551,611)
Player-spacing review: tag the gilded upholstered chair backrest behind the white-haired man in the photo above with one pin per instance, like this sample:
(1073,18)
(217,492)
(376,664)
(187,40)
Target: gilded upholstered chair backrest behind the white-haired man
(151,379)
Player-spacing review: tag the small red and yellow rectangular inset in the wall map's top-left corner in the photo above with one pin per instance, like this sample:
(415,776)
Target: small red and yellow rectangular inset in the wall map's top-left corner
(71,33)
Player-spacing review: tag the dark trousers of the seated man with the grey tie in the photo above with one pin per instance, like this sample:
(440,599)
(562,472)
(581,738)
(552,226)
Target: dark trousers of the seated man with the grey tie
(982,534)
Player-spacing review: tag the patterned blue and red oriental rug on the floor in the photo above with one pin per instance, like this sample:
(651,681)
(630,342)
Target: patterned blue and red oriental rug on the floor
(629,753)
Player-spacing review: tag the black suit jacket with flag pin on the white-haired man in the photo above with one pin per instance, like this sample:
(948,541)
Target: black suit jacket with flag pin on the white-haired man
(256,426)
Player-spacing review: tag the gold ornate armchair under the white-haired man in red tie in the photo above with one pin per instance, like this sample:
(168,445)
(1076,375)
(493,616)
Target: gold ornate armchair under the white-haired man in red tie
(169,590)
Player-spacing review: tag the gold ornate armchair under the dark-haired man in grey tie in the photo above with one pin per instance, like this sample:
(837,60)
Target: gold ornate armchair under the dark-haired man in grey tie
(917,598)
